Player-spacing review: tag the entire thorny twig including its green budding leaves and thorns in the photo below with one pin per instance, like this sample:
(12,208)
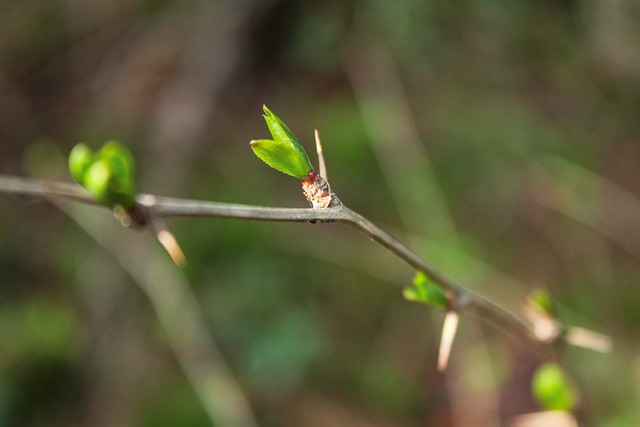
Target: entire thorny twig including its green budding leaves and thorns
(109,177)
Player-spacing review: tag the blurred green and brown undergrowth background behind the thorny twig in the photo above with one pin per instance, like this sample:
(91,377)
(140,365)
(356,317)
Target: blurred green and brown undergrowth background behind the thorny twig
(499,139)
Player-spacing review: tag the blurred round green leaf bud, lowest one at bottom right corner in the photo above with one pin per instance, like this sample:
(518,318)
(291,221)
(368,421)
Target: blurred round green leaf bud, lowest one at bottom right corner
(552,389)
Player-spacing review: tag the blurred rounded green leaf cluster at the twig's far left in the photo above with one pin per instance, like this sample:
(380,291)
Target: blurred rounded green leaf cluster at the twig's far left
(108,174)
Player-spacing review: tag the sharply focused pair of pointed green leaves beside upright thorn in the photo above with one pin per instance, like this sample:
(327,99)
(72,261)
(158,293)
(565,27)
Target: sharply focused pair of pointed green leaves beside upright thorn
(284,152)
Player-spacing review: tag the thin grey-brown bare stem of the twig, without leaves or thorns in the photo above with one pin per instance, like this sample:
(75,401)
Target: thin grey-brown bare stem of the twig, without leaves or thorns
(153,207)
